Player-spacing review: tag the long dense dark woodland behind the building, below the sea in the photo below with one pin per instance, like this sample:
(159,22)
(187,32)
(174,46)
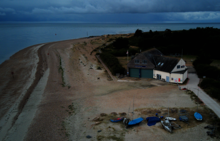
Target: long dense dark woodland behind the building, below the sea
(191,42)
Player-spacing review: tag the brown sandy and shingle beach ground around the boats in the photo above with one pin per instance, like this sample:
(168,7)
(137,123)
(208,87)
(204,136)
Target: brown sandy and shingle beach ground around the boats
(62,90)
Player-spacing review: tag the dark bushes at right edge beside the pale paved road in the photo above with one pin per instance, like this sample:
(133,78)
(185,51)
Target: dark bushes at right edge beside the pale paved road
(211,82)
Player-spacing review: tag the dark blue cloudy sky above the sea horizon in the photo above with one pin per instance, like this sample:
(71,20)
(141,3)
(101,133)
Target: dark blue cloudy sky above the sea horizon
(111,11)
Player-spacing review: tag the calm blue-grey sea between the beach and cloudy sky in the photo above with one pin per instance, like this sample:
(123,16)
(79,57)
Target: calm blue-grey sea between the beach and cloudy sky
(17,36)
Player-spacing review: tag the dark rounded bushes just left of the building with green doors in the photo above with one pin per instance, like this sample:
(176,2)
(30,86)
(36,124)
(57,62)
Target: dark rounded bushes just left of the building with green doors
(112,63)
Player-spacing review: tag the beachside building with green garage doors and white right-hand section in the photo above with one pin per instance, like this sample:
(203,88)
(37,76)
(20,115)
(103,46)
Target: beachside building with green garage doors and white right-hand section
(152,64)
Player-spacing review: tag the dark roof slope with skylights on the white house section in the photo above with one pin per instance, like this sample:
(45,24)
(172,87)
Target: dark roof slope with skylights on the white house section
(164,63)
